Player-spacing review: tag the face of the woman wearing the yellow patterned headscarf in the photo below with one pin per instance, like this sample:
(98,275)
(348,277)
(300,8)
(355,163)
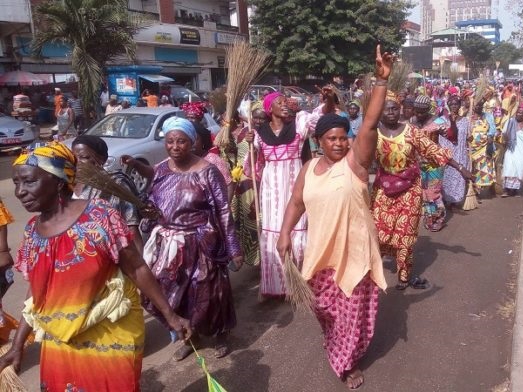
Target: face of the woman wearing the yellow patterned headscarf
(36,189)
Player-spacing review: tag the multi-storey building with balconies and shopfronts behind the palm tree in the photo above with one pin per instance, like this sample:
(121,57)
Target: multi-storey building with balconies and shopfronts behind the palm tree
(187,38)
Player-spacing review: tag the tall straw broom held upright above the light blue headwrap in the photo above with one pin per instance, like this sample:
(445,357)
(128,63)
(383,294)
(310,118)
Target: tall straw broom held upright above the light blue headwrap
(245,64)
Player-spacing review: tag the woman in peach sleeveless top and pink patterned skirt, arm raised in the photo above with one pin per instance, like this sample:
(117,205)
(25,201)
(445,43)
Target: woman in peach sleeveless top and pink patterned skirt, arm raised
(342,261)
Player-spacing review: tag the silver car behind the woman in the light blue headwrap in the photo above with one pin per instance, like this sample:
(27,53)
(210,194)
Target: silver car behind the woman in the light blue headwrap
(136,132)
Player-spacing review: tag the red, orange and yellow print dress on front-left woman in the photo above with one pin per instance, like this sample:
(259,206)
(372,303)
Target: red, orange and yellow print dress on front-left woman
(68,275)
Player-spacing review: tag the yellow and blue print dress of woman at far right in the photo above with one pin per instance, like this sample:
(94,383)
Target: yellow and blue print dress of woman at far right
(482,153)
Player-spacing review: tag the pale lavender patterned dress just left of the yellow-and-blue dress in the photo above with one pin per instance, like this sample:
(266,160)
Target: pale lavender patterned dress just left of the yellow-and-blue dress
(454,184)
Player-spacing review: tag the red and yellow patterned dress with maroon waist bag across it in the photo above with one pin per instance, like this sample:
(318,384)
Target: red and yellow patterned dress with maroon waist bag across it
(397,218)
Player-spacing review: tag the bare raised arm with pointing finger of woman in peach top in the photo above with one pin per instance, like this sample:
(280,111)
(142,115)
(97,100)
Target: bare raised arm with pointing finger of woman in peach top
(362,153)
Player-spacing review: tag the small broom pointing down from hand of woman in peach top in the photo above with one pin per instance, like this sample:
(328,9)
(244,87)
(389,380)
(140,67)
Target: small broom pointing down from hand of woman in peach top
(298,292)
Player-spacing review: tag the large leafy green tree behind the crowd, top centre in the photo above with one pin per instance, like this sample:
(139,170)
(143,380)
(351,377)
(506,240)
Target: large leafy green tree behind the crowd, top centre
(327,37)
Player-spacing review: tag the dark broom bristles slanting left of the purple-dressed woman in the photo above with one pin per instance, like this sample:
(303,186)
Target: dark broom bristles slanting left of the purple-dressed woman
(98,178)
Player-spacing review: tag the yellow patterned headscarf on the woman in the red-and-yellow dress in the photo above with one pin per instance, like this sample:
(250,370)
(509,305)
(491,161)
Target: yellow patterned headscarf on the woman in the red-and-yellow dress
(53,157)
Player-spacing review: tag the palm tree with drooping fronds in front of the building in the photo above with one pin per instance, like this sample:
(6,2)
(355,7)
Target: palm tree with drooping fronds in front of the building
(97,31)
